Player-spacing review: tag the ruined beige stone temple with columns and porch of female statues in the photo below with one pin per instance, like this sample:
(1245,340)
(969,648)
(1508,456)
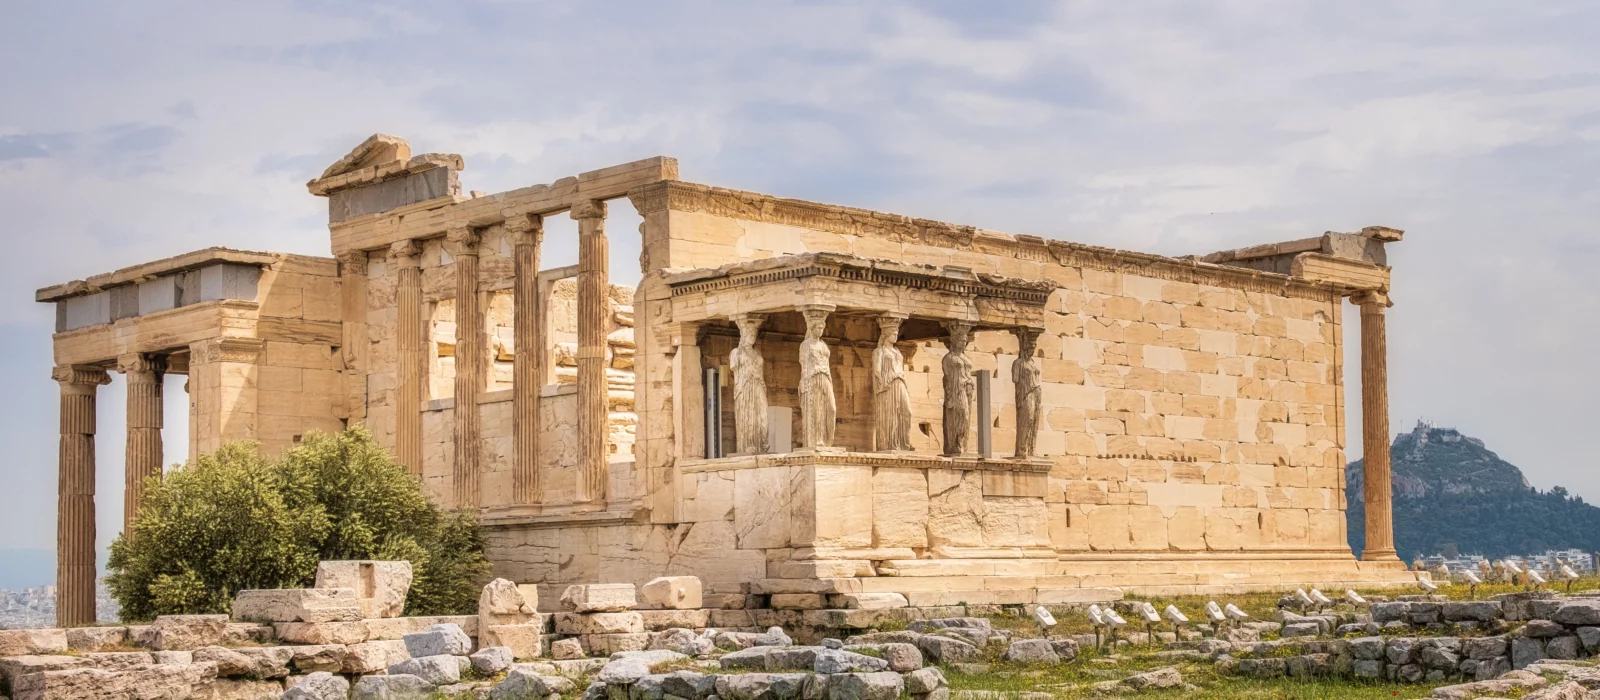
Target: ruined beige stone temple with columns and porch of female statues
(798,399)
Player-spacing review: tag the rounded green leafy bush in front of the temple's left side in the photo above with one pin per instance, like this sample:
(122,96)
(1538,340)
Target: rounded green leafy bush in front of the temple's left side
(234,520)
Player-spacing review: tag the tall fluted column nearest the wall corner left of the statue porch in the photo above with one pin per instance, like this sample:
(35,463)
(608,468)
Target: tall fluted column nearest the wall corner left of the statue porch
(594,324)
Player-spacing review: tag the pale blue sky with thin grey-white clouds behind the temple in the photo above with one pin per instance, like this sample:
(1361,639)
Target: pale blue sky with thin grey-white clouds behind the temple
(134,132)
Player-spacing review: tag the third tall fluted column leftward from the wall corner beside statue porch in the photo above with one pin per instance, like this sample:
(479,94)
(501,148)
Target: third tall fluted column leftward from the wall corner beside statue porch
(471,354)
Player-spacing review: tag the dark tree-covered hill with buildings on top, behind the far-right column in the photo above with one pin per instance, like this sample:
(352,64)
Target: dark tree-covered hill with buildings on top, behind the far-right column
(1454,495)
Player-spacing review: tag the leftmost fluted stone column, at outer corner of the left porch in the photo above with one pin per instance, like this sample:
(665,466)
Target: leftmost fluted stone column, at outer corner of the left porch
(76,496)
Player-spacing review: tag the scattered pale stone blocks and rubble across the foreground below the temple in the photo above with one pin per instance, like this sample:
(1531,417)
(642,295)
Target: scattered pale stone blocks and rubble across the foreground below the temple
(345,640)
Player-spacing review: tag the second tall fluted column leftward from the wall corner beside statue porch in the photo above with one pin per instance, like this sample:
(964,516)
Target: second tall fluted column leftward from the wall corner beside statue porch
(527,234)
